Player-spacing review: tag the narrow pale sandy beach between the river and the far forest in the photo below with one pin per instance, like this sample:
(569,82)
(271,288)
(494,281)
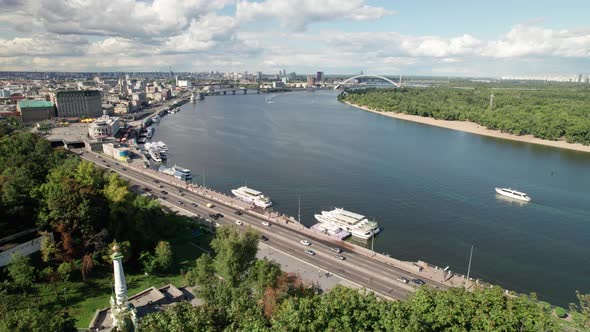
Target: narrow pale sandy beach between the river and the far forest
(474,128)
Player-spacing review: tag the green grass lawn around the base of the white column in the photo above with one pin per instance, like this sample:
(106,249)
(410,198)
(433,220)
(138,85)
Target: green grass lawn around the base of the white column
(85,297)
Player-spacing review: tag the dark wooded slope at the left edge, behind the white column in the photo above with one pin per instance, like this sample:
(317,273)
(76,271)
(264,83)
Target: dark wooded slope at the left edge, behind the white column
(85,208)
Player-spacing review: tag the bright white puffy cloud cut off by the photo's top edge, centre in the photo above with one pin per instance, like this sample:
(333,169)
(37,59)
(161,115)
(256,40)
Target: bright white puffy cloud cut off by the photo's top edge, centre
(300,13)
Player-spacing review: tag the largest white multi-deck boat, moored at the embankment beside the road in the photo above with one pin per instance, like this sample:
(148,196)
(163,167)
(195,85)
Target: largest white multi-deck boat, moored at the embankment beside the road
(356,224)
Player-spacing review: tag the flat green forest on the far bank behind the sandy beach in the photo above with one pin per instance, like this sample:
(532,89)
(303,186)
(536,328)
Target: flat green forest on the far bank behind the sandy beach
(550,113)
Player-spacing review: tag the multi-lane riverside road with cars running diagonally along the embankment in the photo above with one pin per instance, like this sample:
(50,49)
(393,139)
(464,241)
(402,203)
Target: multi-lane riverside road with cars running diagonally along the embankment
(356,268)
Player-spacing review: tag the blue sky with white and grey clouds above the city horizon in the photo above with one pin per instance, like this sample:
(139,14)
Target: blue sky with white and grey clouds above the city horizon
(419,37)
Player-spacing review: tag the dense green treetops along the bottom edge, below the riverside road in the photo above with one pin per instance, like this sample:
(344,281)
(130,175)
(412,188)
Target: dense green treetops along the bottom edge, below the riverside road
(244,294)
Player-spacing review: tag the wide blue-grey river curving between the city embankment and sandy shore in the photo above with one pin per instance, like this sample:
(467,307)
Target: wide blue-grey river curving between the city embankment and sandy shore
(431,189)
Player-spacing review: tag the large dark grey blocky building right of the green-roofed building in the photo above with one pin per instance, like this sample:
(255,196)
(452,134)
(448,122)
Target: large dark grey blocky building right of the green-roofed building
(78,104)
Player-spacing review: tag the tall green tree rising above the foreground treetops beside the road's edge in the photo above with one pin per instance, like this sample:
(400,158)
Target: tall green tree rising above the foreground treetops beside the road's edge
(235,251)
